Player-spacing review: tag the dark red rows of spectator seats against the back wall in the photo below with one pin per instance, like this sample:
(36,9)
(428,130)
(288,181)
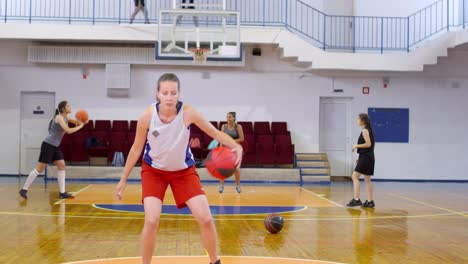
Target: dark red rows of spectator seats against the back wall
(266,144)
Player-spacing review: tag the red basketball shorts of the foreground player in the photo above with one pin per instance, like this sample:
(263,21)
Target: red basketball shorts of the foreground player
(185,184)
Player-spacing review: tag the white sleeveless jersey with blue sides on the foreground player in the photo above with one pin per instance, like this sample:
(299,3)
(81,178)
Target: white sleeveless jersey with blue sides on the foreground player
(167,147)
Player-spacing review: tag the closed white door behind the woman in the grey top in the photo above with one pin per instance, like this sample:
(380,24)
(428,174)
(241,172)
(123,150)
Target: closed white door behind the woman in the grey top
(37,109)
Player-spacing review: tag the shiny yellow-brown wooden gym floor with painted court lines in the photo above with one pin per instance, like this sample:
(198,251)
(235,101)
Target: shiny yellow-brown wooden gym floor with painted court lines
(413,223)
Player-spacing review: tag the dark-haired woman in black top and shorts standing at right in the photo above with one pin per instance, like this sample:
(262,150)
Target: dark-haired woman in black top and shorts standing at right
(365,163)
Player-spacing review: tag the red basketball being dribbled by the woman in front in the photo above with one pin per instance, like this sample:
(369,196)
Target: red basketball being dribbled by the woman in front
(221,162)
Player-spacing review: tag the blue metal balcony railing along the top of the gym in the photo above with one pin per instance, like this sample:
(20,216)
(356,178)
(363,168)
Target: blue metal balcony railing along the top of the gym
(329,32)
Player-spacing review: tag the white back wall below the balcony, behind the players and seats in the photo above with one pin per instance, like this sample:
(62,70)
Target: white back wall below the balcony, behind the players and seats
(268,89)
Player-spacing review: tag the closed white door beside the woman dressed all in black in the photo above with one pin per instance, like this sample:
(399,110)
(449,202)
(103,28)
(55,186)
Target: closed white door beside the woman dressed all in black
(335,134)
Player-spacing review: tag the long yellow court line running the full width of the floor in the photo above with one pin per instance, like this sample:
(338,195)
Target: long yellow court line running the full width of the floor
(234,219)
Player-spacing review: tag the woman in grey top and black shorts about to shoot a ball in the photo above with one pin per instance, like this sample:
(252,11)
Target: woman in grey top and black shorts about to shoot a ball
(50,151)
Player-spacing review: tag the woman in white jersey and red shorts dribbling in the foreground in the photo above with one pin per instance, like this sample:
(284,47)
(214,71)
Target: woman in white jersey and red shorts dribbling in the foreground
(167,161)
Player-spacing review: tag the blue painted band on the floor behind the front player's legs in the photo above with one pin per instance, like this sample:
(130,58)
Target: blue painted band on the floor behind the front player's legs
(215,210)
